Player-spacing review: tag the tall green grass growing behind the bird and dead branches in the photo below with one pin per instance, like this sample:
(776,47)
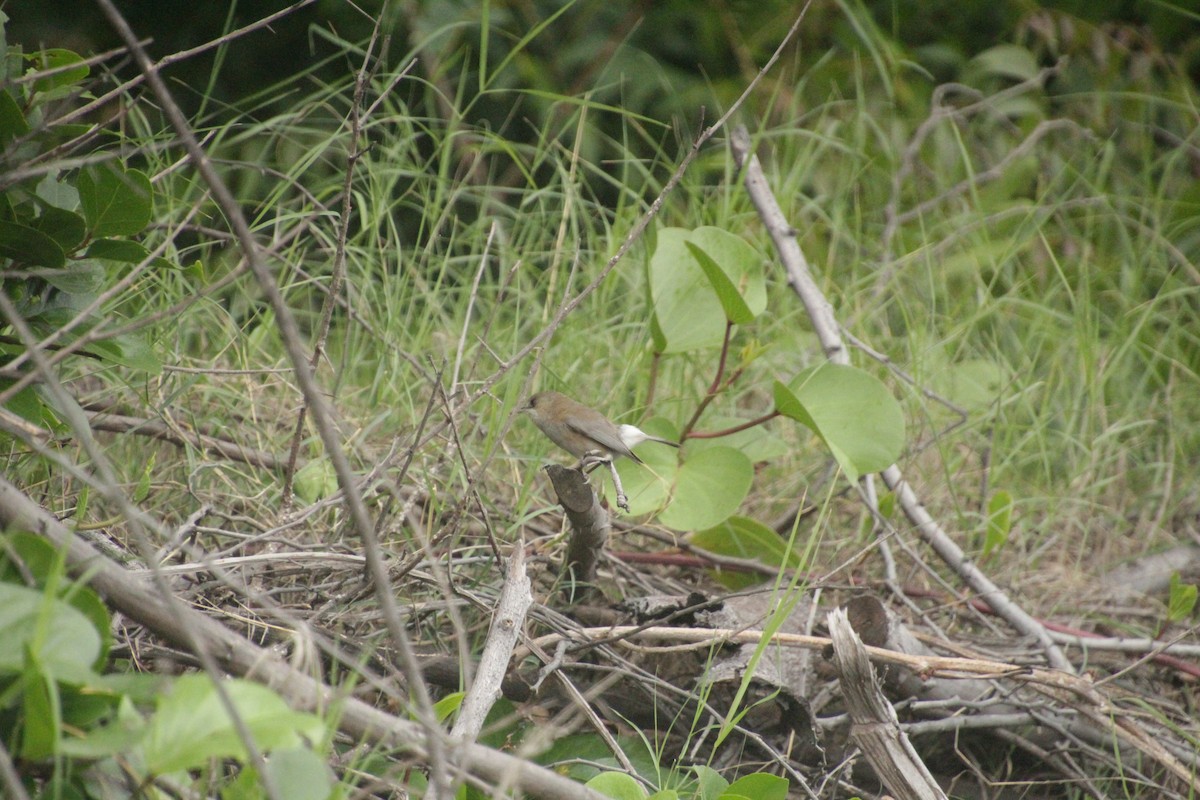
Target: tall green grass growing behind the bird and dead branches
(1057,303)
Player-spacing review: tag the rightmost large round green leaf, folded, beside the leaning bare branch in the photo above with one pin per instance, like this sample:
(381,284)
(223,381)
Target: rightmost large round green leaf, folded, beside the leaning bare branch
(851,411)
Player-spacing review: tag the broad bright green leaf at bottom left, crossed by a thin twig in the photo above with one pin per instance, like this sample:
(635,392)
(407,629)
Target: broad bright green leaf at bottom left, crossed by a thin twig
(191,725)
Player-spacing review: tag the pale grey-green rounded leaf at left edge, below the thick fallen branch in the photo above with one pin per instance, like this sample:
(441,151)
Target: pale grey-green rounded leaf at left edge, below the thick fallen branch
(64,641)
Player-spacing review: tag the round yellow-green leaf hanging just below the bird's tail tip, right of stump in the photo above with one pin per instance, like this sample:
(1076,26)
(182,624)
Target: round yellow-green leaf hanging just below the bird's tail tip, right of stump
(709,489)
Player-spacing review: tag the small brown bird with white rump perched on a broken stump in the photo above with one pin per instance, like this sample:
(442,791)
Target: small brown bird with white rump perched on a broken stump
(584,432)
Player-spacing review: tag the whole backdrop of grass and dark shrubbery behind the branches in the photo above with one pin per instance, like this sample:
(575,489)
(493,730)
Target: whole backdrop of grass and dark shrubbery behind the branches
(1023,249)
